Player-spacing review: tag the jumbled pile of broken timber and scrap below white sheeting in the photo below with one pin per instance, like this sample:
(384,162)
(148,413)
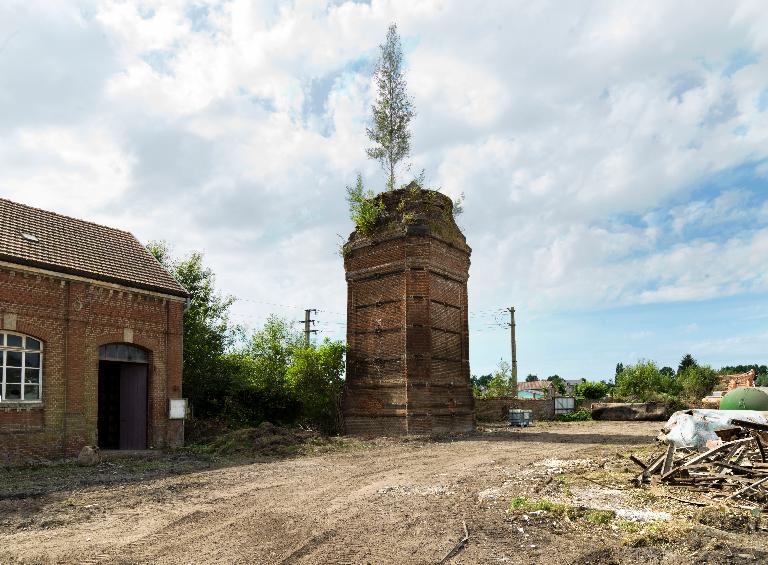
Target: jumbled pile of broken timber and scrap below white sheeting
(733,467)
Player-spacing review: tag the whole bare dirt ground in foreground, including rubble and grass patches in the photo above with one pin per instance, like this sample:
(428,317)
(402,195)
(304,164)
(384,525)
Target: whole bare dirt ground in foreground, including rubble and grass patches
(526,496)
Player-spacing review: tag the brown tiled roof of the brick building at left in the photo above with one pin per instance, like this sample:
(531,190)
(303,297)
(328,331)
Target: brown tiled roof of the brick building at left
(38,238)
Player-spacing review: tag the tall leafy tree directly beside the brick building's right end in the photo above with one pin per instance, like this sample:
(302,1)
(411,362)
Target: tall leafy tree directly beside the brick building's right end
(207,331)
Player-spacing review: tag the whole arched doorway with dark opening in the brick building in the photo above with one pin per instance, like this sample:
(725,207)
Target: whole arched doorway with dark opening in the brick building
(122,419)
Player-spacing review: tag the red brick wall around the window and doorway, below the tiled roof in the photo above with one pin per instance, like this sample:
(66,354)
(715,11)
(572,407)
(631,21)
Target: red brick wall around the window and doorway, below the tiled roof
(72,319)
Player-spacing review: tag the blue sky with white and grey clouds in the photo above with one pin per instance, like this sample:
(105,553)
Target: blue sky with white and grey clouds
(613,155)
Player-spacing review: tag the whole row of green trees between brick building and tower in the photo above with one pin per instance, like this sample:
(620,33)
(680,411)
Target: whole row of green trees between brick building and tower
(244,379)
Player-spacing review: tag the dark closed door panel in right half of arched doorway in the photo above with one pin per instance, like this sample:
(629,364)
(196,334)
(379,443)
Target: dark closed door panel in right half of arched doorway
(133,406)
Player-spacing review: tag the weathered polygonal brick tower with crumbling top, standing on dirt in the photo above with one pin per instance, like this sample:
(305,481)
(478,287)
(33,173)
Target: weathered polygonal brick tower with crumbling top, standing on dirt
(407,326)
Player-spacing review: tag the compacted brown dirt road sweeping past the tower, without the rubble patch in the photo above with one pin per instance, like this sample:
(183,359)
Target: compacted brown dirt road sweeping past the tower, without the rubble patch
(398,501)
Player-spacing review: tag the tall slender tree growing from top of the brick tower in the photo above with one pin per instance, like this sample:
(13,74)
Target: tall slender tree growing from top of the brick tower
(392,111)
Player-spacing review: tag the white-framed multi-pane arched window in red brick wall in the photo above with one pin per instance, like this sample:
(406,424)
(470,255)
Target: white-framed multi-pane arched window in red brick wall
(22,377)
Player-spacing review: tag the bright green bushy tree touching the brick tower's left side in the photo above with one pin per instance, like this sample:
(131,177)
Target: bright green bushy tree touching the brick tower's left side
(316,379)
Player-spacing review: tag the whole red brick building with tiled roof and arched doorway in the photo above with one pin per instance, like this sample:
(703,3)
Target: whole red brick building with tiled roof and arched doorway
(91,338)
